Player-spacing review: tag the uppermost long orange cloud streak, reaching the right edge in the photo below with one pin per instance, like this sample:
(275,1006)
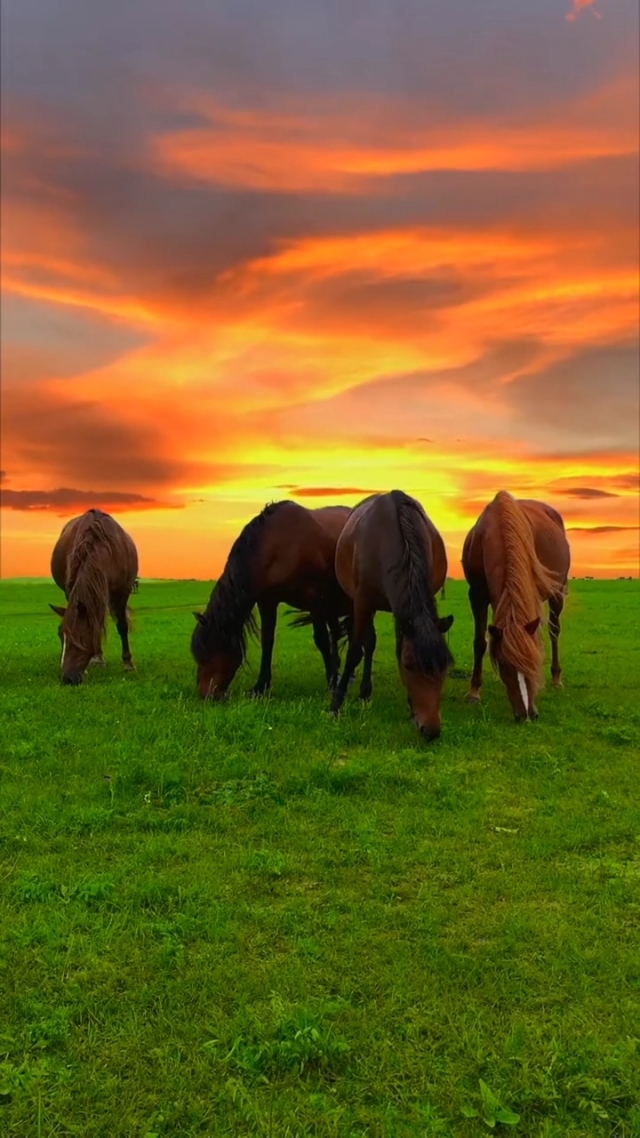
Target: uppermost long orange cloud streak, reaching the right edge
(319,152)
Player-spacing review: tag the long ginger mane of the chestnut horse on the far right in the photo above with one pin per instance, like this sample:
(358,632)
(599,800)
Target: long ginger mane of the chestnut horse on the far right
(528,584)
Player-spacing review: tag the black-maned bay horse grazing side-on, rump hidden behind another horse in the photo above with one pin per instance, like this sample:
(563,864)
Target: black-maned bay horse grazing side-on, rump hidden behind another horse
(284,556)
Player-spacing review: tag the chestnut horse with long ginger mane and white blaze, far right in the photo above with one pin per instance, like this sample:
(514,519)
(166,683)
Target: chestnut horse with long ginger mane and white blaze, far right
(515,558)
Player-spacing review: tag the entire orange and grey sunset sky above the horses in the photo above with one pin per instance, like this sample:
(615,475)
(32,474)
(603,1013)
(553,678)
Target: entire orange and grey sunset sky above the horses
(313,250)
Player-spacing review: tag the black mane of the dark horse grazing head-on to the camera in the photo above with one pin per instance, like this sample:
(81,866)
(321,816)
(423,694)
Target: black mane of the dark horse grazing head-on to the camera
(419,616)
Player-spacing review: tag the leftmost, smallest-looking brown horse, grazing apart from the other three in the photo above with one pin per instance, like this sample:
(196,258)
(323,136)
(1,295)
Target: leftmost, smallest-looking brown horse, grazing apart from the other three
(95,563)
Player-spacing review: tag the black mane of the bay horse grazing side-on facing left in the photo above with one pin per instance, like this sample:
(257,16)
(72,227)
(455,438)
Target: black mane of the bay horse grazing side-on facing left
(229,620)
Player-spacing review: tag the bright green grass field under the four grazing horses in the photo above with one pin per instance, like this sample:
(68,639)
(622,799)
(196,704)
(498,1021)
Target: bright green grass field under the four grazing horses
(253,920)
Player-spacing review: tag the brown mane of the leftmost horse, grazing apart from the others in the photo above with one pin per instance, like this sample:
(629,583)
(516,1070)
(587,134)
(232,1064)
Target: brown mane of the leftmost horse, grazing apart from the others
(87,584)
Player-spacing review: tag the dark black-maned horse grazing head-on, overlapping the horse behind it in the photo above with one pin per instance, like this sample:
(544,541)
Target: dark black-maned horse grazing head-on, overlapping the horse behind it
(391,558)
